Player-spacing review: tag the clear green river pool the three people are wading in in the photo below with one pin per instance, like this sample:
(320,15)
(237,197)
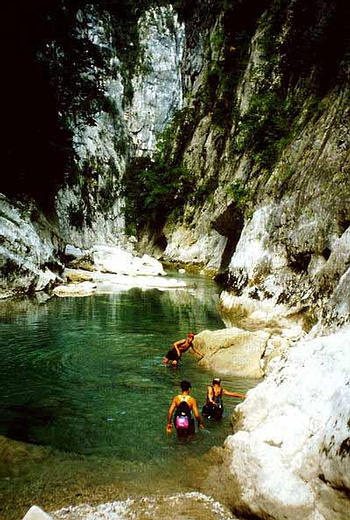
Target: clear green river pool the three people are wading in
(84,388)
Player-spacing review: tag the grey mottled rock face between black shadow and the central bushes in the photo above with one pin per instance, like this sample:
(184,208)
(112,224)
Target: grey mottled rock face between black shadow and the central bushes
(89,209)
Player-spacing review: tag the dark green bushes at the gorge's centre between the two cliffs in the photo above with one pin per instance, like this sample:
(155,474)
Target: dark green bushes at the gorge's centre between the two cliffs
(155,189)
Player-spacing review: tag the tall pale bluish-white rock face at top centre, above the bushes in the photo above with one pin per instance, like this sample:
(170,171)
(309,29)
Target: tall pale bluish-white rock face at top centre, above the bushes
(157,85)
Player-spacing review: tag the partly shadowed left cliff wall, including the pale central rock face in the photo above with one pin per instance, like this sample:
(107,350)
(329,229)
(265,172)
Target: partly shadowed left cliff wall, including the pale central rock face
(111,110)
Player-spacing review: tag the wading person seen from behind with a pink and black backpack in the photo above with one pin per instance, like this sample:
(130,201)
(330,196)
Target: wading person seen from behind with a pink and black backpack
(183,407)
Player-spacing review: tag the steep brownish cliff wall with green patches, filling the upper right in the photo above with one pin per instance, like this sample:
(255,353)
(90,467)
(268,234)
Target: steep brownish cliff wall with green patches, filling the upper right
(274,167)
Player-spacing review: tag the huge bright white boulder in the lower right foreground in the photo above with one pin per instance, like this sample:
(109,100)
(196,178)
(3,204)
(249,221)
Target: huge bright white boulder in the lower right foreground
(291,458)
